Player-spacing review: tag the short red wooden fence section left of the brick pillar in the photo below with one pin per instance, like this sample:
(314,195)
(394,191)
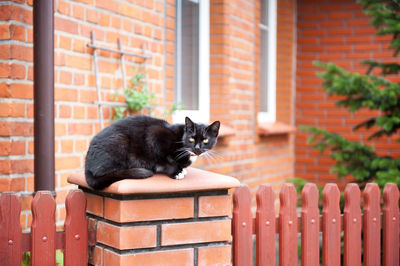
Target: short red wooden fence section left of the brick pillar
(43,240)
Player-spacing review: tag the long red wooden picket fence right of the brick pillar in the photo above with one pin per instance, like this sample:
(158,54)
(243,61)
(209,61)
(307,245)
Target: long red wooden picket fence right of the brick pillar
(353,223)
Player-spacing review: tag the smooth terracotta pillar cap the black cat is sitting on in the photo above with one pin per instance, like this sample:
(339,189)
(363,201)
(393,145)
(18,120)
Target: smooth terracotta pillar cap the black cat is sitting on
(195,180)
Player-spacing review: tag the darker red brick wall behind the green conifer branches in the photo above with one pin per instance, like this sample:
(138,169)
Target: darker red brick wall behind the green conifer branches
(338,32)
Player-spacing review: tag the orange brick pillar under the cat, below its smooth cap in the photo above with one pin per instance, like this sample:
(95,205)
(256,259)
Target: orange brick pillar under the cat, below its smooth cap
(189,229)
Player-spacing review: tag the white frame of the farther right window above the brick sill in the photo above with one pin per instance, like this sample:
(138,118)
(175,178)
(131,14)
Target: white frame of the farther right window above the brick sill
(270,116)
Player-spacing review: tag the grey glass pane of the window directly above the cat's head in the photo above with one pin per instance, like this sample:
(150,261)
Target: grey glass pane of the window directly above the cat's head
(189,56)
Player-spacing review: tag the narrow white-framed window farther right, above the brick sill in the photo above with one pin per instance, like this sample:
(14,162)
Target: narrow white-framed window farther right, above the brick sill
(267,67)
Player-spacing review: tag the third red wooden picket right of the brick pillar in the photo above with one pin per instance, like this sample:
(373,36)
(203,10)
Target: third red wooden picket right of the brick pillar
(288,226)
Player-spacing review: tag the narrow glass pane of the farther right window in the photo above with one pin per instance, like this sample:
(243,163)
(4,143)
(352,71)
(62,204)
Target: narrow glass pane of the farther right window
(263,74)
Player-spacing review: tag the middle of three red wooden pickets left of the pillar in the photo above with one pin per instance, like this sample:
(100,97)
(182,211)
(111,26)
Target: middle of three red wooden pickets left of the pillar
(43,230)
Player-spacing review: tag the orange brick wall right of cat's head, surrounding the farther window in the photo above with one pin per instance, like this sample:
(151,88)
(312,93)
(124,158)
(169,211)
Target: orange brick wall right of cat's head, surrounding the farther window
(234,97)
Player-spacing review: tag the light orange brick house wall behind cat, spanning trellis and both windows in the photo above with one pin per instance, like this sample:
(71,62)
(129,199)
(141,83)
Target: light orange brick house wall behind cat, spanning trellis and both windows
(234,30)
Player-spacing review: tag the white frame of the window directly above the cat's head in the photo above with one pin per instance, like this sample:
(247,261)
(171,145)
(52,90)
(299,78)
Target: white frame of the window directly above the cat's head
(202,115)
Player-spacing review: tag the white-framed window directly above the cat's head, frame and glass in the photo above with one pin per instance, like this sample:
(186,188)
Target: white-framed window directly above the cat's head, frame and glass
(192,60)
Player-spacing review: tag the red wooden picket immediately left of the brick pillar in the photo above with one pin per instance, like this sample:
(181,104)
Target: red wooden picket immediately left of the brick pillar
(76,229)
